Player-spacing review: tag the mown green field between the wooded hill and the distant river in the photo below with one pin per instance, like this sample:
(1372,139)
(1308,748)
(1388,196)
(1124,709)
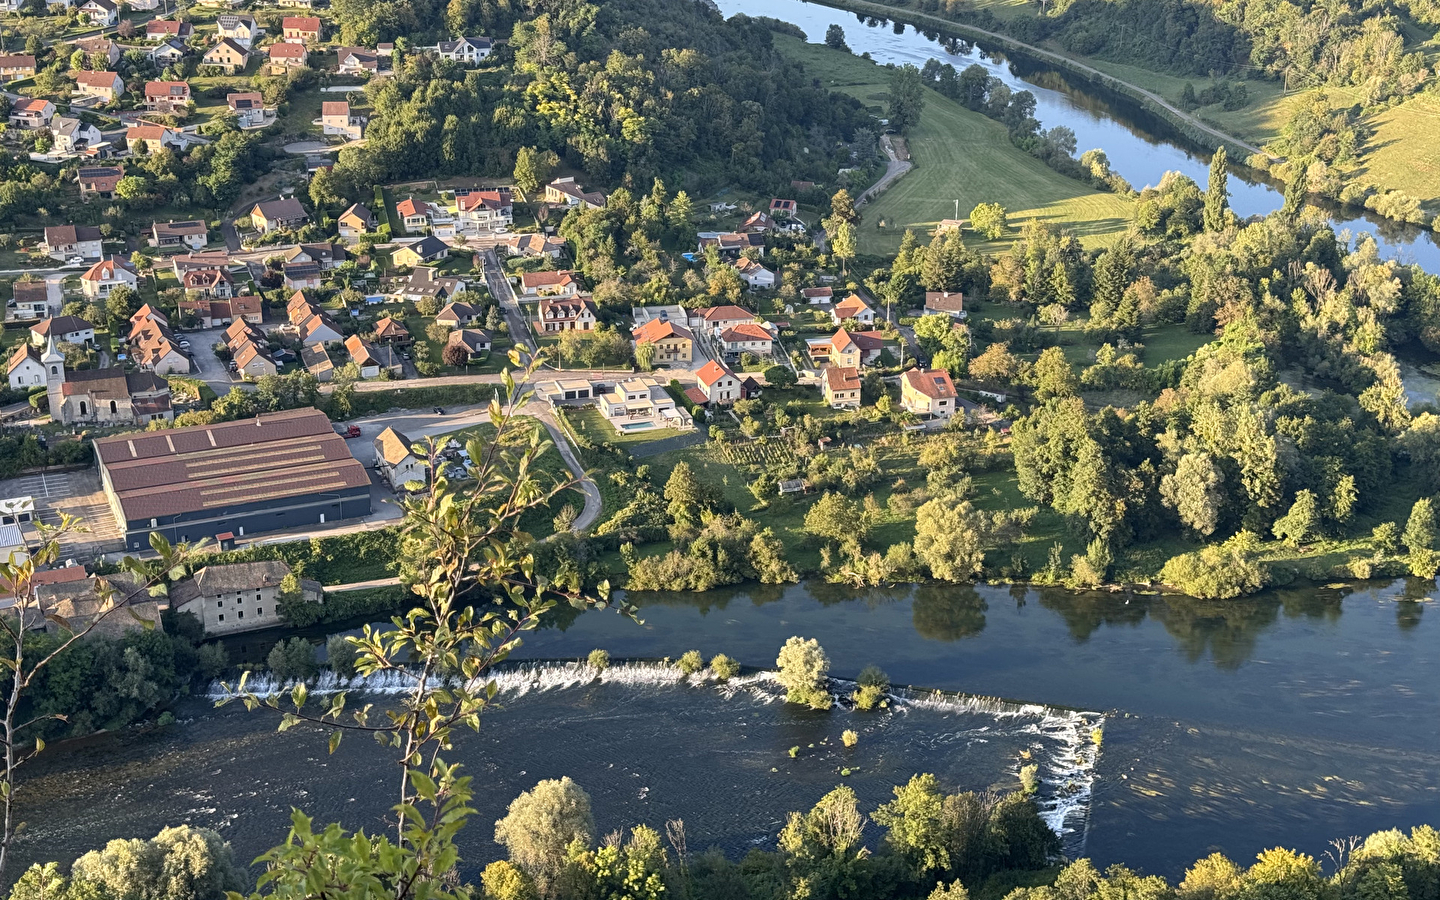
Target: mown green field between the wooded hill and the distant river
(961,156)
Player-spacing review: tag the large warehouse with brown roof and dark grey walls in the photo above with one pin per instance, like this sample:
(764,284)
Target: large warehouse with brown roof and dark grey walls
(284,470)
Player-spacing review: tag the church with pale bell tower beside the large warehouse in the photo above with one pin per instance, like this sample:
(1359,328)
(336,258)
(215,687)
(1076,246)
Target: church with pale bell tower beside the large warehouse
(103,397)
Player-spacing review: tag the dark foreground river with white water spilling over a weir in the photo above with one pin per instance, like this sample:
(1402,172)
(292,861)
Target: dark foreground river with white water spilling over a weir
(1291,718)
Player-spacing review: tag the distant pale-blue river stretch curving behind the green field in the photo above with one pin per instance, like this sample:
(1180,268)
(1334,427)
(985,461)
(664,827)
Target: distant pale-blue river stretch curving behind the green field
(1140,148)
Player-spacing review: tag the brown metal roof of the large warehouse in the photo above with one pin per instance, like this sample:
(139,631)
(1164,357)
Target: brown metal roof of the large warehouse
(191,470)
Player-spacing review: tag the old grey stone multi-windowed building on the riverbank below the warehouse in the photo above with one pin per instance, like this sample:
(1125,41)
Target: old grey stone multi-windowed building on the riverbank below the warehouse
(240,597)
